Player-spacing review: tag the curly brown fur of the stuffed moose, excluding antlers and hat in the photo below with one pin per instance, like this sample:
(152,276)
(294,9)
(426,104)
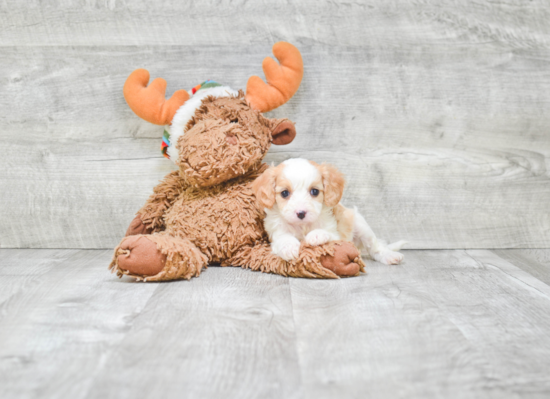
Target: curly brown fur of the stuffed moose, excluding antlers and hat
(206,212)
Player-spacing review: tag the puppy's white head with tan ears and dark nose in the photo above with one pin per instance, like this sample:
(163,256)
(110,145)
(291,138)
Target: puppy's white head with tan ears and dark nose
(299,189)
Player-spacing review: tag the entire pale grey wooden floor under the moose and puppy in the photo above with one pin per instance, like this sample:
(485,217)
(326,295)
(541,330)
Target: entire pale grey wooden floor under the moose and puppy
(454,323)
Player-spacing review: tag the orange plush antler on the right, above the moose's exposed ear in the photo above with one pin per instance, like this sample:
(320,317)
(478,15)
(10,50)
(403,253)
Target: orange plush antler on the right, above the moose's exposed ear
(282,80)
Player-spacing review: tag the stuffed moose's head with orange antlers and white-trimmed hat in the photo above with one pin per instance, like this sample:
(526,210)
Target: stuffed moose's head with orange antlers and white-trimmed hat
(219,133)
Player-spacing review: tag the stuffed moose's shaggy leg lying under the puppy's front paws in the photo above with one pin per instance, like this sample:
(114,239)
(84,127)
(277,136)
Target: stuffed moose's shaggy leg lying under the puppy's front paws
(330,260)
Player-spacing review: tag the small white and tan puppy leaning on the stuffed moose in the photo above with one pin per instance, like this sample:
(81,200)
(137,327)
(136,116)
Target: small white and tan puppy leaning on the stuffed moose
(301,200)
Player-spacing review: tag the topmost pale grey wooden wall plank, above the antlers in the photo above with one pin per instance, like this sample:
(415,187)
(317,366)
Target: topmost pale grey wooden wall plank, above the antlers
(229,22)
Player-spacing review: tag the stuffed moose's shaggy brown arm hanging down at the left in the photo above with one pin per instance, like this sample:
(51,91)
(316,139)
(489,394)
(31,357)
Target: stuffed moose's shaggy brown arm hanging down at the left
(150,218)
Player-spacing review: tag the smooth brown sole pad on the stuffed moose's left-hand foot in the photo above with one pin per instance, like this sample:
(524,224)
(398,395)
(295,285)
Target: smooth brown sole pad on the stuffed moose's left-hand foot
(138,255)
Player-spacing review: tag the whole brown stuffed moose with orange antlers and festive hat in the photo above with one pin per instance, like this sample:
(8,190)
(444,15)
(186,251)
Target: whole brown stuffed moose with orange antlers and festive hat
(205,212)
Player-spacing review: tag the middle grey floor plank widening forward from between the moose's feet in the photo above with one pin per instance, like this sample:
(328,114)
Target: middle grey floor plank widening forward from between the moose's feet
(228,333)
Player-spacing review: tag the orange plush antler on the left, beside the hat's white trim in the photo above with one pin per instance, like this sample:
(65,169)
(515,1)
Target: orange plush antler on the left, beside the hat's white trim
(149,102)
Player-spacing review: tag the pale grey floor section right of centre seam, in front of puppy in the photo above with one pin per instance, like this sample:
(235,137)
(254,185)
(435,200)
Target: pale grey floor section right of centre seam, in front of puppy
(457,324)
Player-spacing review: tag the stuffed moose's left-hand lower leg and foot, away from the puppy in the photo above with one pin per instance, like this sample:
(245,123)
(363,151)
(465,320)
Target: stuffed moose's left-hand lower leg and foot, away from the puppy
(157,257)
